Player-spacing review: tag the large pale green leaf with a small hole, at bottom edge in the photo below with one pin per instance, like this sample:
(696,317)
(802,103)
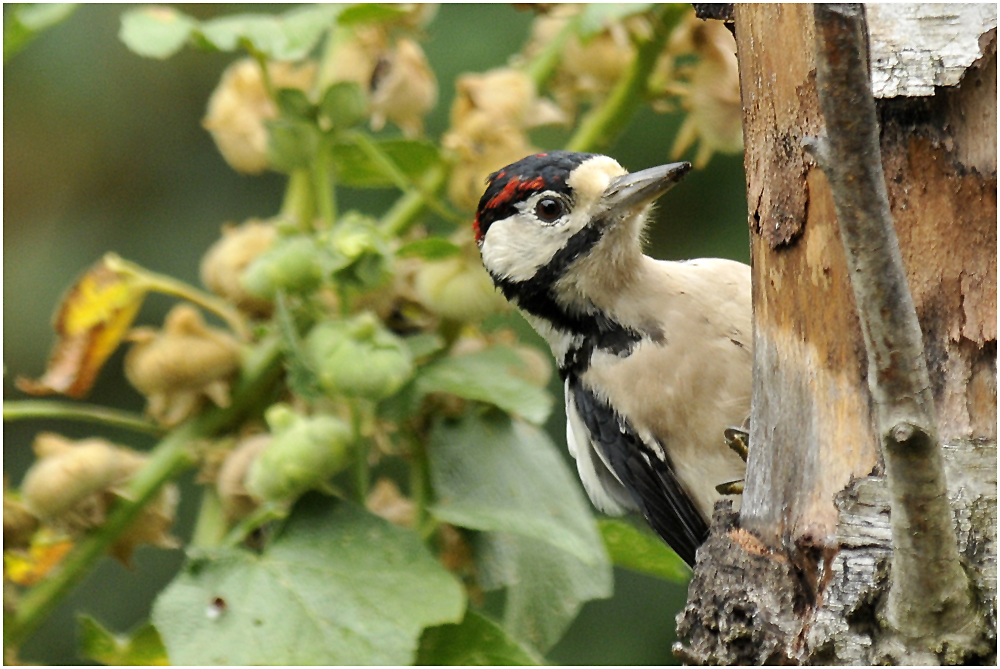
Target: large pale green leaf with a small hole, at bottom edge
(337,585)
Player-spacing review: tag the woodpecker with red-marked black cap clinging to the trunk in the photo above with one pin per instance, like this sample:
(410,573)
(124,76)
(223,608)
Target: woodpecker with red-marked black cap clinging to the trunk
(655,356)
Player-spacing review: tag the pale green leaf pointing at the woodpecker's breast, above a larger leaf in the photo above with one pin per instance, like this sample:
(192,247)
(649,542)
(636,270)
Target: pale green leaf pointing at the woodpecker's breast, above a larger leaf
(488,376)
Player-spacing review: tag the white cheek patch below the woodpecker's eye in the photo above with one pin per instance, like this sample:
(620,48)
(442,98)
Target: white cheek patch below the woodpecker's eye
(516,247)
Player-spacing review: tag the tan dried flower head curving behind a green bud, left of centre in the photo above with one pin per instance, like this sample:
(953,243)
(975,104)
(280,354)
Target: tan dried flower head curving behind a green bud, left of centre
(223,264)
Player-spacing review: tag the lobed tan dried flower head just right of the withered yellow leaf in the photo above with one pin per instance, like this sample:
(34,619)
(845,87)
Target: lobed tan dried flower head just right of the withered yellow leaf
(176,367)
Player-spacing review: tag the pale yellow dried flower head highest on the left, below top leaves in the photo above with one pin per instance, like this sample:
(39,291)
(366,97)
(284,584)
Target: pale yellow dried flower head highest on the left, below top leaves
(240,105)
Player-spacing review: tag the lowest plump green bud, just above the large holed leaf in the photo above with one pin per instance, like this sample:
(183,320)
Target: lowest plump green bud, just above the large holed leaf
(303,452)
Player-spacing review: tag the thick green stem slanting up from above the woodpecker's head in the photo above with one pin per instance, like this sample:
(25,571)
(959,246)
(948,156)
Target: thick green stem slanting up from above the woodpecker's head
(604,123)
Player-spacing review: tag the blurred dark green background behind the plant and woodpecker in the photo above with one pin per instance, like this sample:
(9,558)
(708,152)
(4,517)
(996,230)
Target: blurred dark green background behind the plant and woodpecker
(104,151)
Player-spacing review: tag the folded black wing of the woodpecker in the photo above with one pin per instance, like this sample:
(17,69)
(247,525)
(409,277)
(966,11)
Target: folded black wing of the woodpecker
(650,481)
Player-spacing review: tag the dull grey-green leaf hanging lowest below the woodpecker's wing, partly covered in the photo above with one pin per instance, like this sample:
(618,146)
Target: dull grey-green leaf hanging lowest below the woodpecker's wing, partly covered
(545,586)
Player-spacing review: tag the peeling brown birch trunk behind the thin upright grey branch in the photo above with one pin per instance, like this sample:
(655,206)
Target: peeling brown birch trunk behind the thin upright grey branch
(802,574)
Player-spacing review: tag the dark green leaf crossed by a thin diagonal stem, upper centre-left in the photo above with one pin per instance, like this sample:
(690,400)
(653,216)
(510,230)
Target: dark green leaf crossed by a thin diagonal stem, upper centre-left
(353,167)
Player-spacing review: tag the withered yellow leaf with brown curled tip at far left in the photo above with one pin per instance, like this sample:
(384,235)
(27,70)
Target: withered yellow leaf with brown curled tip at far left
(93,318)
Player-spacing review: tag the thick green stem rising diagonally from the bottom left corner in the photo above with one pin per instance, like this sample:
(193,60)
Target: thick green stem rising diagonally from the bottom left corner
(173,455)
